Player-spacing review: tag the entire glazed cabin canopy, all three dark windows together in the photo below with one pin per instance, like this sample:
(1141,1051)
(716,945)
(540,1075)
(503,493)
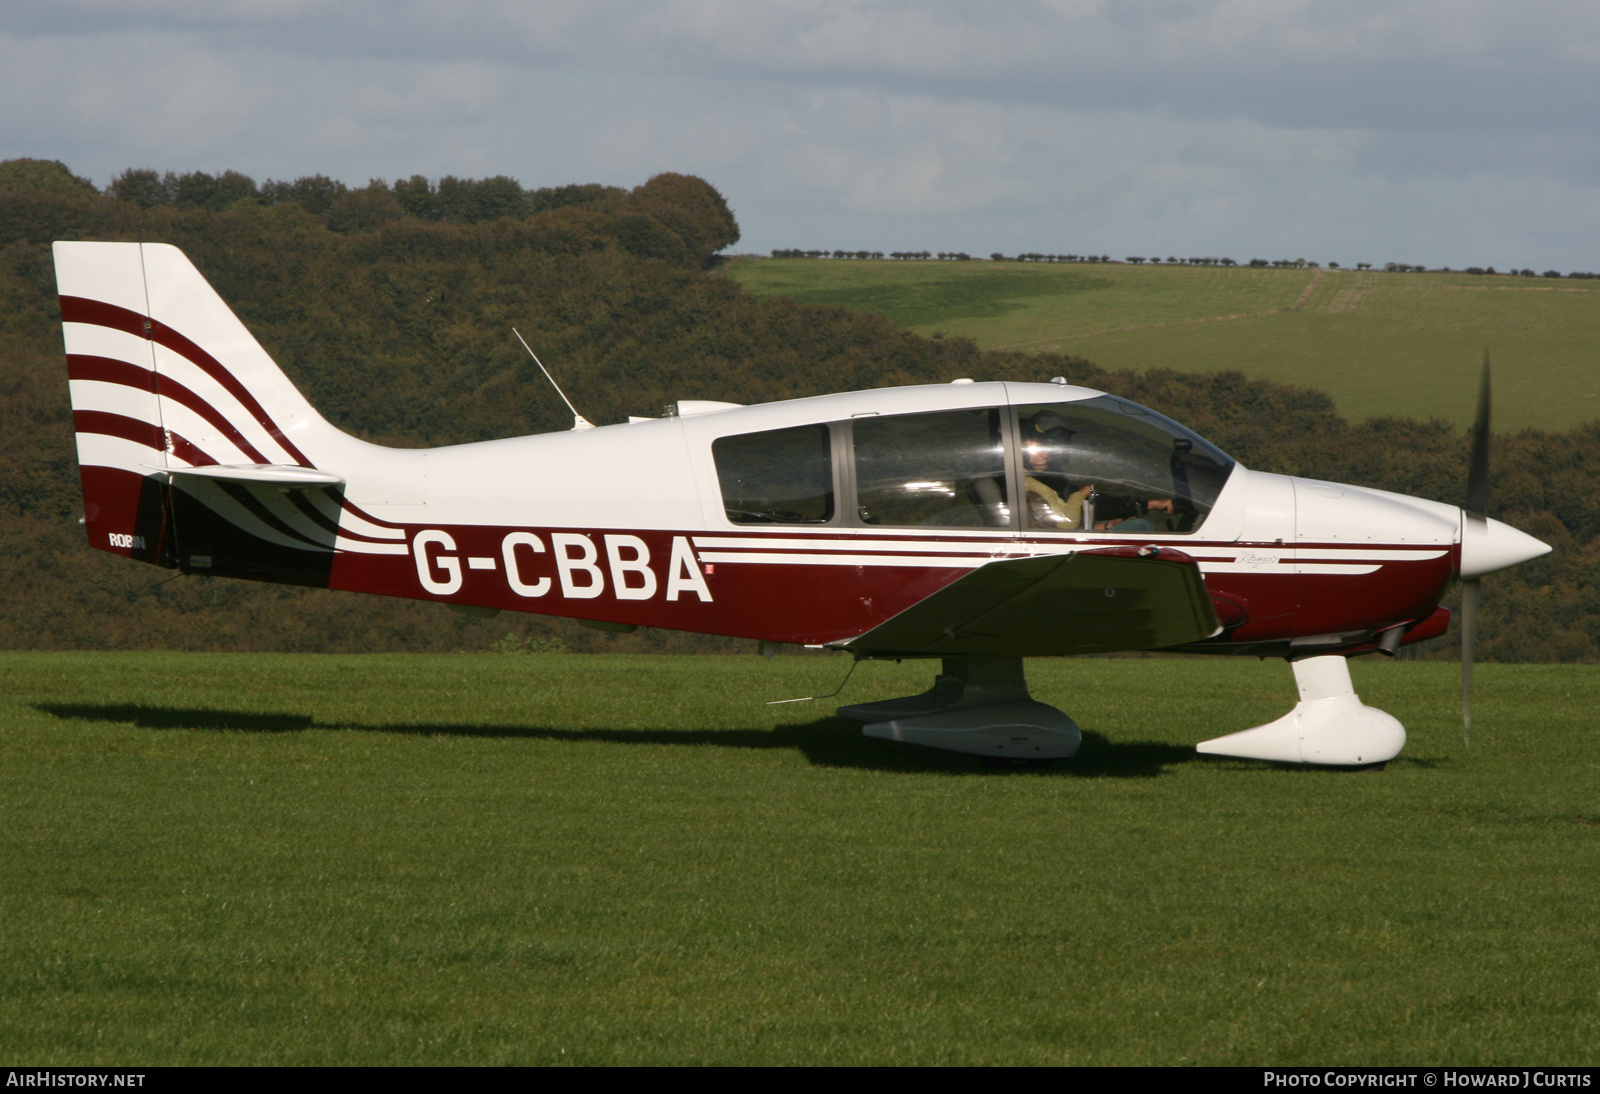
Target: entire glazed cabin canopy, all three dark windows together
(1095,465)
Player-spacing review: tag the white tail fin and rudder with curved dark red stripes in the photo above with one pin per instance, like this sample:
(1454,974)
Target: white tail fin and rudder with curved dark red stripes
(188,431)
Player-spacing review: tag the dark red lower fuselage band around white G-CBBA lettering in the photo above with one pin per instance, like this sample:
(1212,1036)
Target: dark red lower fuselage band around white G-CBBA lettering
(820,604)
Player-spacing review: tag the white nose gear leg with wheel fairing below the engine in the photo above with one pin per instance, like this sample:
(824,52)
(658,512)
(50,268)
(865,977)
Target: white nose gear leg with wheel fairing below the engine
(1329,725)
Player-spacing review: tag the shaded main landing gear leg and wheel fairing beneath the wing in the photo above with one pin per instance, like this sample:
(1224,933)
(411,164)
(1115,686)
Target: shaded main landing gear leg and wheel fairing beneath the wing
(978,706)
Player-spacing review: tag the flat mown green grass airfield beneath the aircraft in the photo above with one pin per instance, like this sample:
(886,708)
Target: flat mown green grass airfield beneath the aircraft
(498,860)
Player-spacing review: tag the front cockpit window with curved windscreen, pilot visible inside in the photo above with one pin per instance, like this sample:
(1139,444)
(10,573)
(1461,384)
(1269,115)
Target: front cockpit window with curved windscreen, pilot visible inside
(1106,465)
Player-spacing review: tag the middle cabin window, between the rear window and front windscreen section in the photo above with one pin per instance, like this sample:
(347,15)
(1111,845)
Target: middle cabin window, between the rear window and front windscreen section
(934,471)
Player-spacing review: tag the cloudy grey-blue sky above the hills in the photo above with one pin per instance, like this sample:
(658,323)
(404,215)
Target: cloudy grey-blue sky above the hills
(1423,132)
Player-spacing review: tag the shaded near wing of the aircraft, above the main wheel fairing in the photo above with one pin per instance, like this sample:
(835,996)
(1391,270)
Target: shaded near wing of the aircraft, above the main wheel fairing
(1089,602)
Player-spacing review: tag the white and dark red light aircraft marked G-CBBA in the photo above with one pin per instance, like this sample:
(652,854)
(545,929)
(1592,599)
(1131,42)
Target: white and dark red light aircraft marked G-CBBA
(980,524)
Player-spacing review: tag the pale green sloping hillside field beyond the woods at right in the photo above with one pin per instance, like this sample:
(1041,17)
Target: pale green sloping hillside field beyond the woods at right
(1404,345)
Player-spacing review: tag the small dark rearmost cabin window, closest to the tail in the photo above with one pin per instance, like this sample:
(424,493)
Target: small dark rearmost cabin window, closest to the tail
(777,477)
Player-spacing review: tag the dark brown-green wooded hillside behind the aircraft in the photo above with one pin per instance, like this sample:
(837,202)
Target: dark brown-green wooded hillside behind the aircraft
(399,330)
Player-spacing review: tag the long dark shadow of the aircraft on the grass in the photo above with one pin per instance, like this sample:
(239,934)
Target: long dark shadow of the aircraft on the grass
(831,743)
